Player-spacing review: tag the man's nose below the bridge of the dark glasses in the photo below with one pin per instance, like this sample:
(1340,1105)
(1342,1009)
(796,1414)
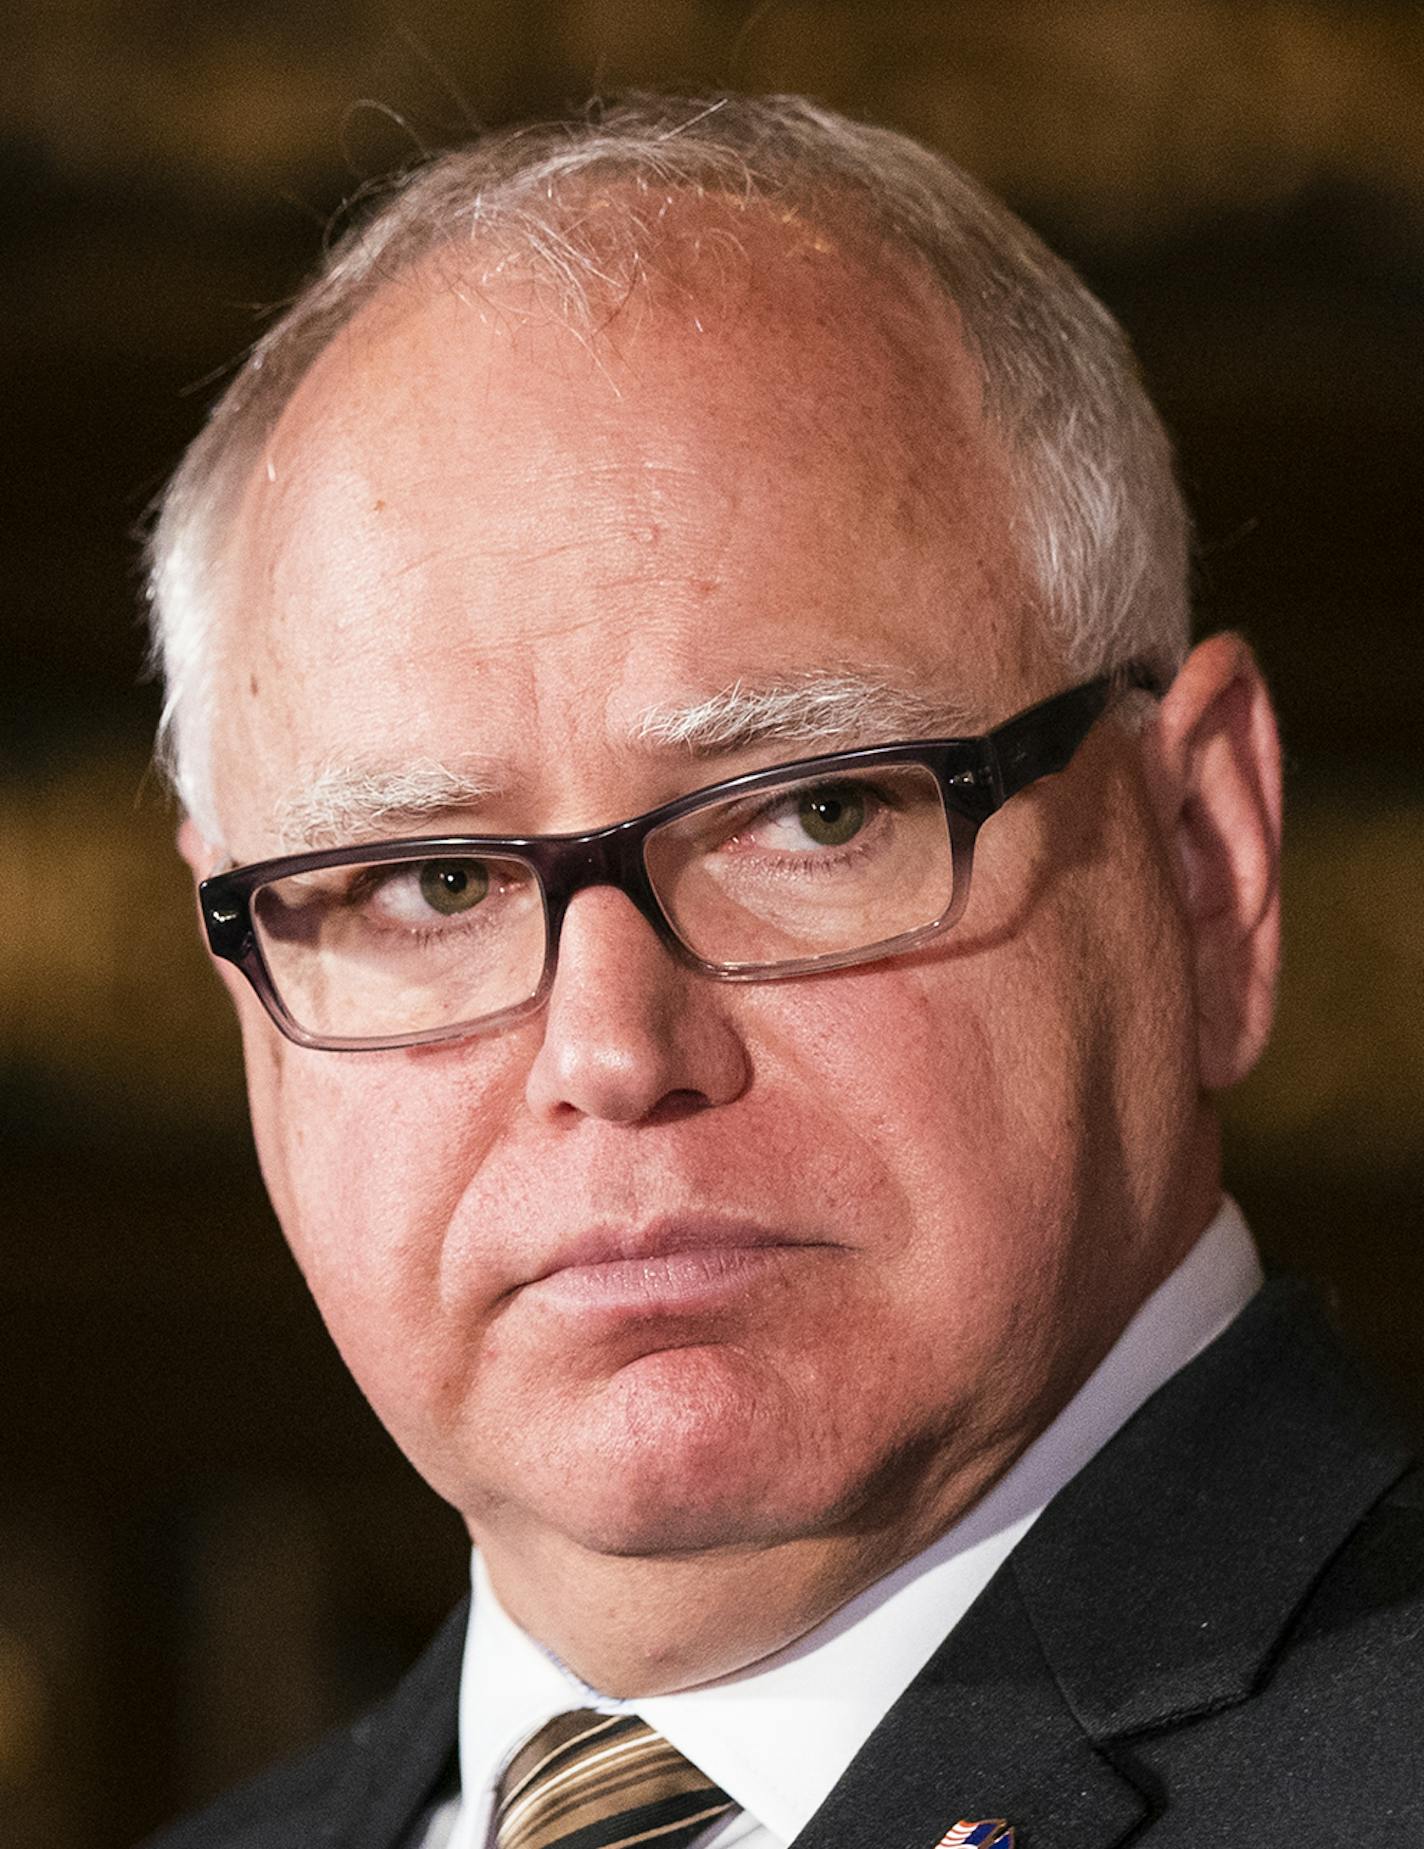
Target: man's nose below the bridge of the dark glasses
(630,1033)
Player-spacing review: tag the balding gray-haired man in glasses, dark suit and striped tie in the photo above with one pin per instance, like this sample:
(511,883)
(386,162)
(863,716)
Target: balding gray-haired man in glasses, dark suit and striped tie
(606,626)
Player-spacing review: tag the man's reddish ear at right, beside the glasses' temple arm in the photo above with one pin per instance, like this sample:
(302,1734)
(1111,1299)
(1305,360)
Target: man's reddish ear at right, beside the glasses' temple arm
(1214,776)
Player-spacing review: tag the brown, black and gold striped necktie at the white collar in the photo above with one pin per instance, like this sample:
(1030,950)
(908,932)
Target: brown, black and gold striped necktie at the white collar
(604,1782)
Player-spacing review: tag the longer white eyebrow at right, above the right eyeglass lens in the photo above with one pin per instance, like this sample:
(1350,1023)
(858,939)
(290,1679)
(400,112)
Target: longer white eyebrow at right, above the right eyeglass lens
(798,709)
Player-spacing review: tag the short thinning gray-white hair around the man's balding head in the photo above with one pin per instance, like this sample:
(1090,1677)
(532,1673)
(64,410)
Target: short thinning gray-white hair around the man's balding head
(1103,526)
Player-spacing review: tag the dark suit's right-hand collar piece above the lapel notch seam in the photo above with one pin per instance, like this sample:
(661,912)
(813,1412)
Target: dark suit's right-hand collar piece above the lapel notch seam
(1164,1578)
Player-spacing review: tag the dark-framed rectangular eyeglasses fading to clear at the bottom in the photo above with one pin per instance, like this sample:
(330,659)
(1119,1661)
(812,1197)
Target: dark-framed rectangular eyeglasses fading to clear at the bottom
(802,868)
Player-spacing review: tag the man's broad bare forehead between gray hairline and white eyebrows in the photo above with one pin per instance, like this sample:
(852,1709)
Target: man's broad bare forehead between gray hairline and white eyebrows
(491,526)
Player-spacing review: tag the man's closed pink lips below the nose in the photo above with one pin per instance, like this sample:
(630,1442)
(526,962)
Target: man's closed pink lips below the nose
(667,1267)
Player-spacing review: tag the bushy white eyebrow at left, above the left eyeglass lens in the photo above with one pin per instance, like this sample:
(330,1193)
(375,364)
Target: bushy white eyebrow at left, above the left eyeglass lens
(347,802)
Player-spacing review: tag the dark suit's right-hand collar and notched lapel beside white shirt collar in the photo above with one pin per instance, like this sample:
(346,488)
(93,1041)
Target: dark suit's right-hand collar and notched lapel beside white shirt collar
(1157,1587)
